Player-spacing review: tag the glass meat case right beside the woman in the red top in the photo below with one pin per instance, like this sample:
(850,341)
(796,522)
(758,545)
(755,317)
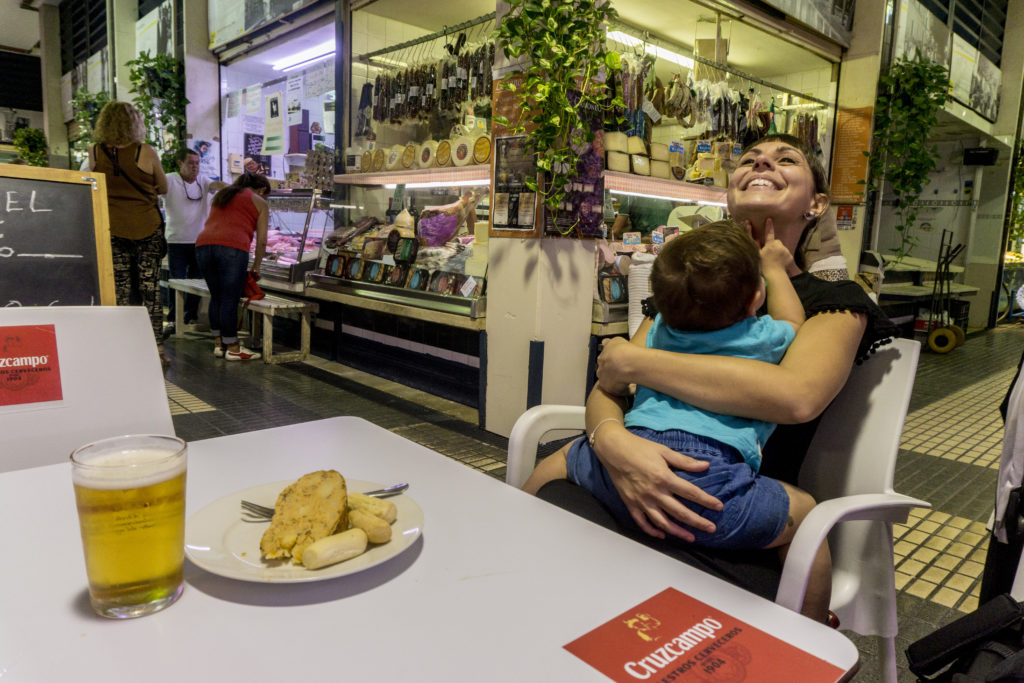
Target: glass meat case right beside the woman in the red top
(300,220)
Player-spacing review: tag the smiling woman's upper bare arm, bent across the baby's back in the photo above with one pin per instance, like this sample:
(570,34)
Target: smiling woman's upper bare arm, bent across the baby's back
(795,392)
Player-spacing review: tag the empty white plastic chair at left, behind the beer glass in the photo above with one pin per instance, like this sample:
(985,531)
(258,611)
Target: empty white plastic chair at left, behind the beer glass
(111,379)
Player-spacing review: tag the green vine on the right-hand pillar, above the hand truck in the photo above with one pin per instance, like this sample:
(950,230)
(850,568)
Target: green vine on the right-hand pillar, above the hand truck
(911,95)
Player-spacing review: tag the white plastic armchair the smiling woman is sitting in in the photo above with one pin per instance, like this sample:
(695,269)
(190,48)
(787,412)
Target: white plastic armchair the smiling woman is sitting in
(849,471)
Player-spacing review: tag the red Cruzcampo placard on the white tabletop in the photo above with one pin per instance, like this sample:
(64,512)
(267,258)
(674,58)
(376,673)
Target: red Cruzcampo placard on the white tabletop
(673,637)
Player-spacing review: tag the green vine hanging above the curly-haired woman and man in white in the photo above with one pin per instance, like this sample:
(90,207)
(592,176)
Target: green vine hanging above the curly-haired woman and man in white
(159,84)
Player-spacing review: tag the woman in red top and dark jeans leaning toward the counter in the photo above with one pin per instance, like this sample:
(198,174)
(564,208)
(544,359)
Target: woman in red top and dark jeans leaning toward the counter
(238,212)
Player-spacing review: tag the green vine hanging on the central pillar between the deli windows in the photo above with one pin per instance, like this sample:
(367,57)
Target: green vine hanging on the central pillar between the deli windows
(566,63)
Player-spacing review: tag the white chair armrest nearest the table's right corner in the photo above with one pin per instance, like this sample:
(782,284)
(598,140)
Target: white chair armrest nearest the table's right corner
(818,525)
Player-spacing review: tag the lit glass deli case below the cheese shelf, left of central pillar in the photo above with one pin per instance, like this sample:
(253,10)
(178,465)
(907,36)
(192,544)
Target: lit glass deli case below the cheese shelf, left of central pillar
(415,239)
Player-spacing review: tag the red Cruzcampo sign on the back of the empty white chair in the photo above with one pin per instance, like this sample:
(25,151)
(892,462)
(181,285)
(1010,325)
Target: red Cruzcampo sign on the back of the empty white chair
(30,372)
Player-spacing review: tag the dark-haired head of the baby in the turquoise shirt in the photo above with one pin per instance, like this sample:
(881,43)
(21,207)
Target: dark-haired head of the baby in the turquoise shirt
(706,279)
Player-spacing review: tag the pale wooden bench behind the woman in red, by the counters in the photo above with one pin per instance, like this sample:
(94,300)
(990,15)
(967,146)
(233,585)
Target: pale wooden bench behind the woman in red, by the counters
(263,324)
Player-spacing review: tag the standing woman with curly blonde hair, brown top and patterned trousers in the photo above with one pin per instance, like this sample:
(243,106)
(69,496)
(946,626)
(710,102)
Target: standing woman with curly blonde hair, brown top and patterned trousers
(135,180)
